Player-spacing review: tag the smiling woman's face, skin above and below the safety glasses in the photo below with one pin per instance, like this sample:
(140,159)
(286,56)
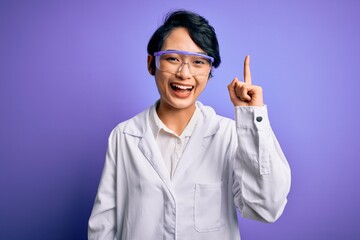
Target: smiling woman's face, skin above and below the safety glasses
(179,91)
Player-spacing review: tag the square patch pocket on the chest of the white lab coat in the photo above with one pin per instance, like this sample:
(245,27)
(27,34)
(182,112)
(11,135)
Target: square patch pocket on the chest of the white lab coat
(208,209)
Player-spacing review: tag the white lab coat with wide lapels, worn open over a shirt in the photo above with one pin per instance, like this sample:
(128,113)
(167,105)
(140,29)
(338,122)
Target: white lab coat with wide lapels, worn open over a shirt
(226,165)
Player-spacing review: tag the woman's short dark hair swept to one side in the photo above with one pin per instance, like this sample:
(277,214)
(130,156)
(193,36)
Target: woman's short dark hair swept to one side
(200,31)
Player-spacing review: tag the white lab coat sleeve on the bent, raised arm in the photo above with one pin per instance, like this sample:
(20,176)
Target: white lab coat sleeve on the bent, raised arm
(261,171)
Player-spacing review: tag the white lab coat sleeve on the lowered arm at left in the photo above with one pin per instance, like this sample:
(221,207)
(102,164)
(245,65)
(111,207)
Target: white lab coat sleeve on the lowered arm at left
(102,222)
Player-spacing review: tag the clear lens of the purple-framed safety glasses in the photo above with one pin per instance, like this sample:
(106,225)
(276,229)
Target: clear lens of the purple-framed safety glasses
(172,62)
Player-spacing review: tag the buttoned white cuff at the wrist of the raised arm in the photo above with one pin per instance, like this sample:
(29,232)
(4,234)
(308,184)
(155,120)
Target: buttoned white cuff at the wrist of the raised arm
(252,117)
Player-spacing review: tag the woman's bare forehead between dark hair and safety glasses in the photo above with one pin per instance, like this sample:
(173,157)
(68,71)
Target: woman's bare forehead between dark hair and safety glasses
(179,39)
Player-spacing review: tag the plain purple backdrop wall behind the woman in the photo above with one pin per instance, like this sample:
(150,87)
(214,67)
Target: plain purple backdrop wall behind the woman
(71,70)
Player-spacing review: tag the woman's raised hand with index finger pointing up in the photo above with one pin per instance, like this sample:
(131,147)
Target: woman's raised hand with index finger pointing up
(244,93)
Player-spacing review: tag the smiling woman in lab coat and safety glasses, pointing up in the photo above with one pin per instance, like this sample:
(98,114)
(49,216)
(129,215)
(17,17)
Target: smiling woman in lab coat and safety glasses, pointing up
(178,170)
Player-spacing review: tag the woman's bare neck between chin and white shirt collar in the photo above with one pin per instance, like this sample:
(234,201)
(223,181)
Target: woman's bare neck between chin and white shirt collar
(175,119)
